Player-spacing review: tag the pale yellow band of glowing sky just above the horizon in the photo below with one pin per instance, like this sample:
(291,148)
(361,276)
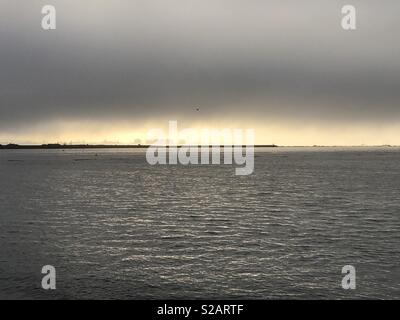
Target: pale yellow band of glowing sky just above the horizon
(266,132)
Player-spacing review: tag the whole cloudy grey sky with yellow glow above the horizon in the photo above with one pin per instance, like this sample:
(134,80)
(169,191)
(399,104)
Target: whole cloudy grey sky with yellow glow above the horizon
(112,70)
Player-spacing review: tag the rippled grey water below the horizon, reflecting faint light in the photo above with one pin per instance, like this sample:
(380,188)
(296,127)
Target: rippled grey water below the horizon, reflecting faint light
(117,228)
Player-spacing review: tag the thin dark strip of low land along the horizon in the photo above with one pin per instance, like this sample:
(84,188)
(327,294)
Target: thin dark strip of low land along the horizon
(12,146)
